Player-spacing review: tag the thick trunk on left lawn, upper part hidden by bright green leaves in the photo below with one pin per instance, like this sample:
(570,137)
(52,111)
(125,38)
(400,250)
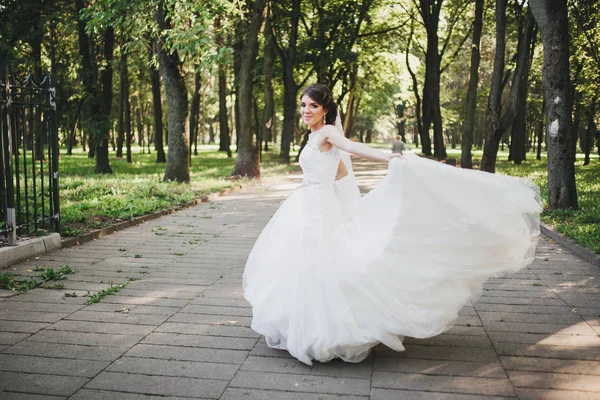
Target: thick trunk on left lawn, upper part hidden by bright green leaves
(170,66)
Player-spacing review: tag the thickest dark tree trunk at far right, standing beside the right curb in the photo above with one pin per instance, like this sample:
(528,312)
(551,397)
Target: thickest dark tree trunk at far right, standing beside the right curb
(553,23)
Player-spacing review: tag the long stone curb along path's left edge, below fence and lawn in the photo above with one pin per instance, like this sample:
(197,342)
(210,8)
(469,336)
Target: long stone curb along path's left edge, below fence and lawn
(34,247)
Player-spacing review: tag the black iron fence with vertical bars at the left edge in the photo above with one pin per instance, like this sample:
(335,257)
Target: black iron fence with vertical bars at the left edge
(28,157)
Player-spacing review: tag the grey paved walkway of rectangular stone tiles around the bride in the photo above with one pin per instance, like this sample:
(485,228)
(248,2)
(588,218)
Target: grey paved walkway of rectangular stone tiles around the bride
(182,329)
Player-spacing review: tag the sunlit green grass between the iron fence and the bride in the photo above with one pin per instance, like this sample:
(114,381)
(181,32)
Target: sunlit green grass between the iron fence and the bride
(90,201)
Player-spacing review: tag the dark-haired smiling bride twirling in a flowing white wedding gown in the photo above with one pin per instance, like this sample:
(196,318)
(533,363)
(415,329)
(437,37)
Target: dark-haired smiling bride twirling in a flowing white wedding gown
(333,274)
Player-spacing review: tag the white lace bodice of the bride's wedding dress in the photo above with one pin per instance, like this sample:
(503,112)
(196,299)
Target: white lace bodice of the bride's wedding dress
(319,168)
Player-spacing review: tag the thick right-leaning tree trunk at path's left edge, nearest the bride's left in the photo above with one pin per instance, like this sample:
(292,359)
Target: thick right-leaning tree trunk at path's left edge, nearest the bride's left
(247,163)
